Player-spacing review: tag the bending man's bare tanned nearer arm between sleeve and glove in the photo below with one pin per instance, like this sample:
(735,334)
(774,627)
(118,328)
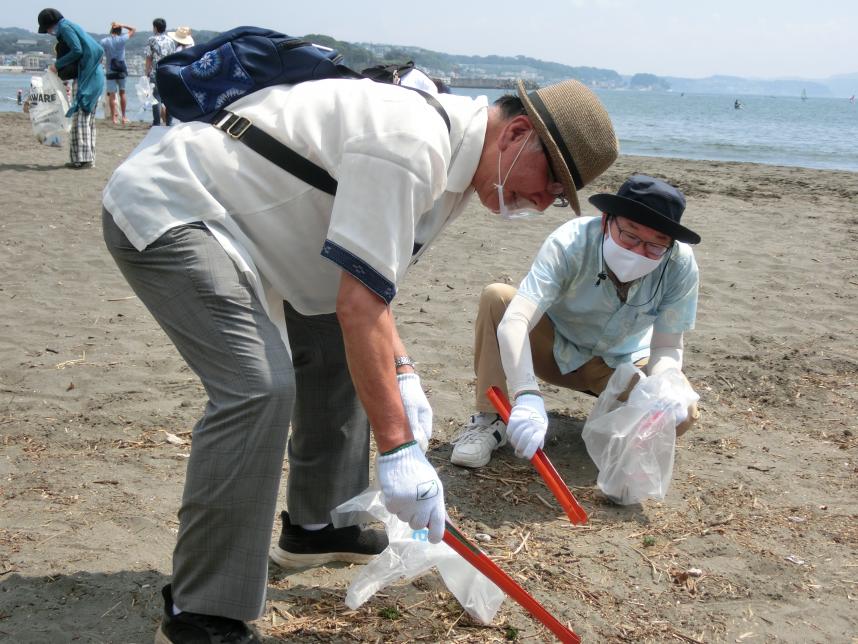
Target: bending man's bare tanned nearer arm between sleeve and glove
(369,336)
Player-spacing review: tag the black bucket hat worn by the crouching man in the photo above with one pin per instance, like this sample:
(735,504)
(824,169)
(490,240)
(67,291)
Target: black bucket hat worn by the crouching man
(649,202)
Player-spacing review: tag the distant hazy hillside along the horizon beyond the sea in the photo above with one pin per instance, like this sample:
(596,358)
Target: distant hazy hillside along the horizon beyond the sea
(361,55)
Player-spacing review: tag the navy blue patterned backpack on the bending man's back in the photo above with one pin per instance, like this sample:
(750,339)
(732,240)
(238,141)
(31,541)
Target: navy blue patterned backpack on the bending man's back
(197,82)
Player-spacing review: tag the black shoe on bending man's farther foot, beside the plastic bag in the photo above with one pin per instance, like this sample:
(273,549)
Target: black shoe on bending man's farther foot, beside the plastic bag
(298,548)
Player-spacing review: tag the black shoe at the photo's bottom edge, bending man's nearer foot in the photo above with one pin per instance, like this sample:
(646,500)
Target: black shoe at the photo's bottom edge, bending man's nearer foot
(193,628)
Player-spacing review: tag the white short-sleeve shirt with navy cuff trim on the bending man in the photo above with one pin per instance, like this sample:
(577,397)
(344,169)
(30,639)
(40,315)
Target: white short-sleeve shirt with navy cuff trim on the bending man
(402,177)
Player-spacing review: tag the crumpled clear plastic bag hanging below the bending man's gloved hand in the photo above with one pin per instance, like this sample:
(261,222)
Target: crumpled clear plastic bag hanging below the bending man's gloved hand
(409,555)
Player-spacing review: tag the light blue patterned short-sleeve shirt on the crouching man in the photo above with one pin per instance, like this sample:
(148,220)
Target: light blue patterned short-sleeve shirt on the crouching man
(591,320)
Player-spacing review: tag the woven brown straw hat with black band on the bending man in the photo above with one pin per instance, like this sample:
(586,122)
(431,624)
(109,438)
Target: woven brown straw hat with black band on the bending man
(576,130)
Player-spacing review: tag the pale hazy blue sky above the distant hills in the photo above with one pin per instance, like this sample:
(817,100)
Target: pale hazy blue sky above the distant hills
(749,38)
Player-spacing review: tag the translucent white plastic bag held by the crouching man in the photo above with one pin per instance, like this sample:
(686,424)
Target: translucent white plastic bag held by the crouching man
(632,443)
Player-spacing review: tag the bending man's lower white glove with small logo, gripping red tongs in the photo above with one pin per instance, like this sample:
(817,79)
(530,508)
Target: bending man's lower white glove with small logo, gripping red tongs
(412,490)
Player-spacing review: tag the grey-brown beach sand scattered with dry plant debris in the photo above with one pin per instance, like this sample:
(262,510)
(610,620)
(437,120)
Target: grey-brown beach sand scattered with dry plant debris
(96,408)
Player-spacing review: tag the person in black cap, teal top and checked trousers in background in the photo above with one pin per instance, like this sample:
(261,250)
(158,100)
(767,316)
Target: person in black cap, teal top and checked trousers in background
(86,53)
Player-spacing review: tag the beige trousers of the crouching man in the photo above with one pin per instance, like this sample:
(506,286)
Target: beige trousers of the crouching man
(590,378)
